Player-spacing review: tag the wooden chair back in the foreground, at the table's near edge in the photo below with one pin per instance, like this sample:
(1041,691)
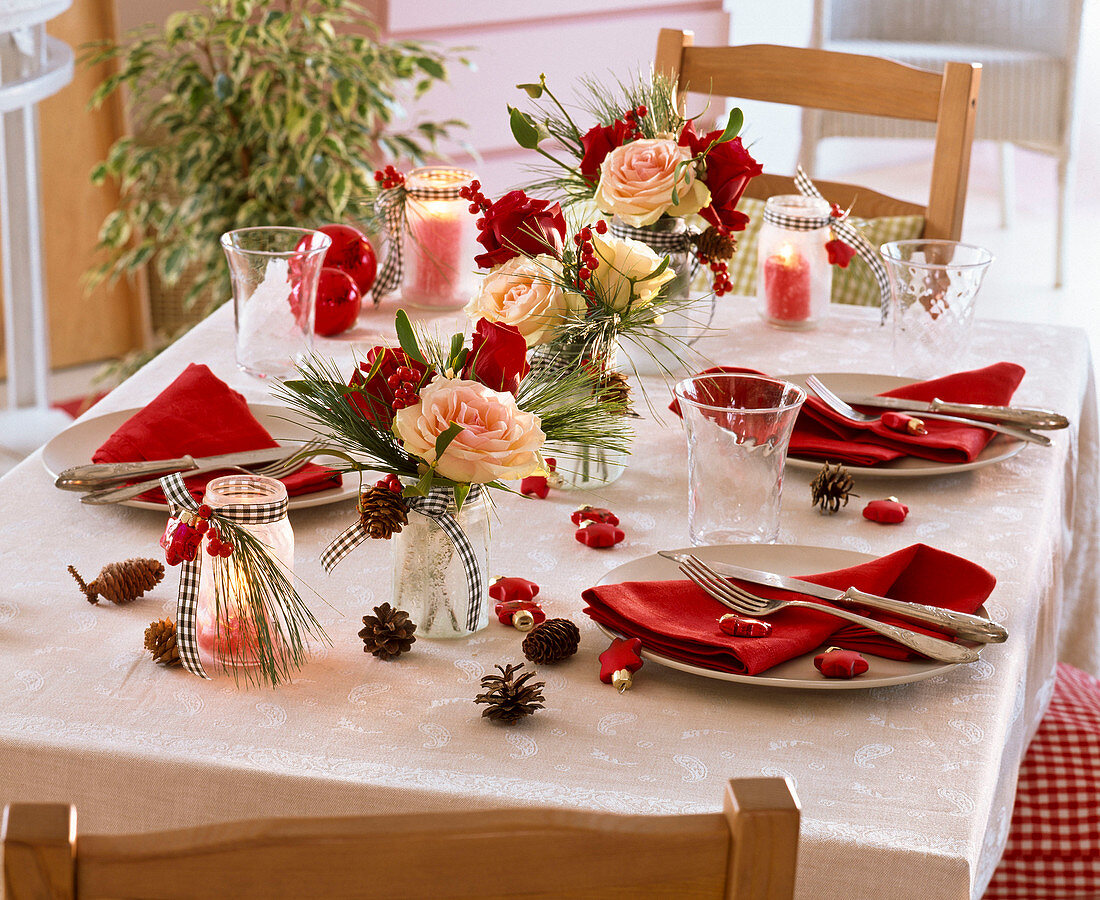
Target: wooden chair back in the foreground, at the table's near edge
(749,851)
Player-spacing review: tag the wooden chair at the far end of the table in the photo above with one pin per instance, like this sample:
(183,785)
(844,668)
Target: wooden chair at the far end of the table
(845,83)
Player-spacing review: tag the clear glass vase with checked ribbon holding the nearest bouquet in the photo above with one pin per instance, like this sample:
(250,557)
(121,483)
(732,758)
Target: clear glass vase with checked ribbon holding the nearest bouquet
(430,577)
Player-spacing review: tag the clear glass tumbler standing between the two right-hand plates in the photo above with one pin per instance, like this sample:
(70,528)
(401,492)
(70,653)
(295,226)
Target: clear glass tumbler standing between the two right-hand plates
(739,430)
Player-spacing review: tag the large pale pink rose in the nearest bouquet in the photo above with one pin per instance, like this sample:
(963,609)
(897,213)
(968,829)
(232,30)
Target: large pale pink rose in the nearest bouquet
(498,441)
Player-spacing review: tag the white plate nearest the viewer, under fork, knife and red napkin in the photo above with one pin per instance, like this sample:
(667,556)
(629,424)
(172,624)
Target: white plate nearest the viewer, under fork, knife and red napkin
(783,562)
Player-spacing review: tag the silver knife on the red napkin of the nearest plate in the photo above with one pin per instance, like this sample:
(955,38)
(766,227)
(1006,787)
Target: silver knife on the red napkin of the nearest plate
(967,627)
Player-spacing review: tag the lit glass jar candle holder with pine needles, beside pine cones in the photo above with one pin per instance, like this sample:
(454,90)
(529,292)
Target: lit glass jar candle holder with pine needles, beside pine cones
(228,631)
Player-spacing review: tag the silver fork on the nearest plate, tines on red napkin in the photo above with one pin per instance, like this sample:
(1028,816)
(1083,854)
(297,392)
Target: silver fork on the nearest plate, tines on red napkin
(742,601)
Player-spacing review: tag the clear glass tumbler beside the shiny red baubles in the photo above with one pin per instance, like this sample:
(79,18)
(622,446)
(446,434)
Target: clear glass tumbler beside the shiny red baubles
(274,272)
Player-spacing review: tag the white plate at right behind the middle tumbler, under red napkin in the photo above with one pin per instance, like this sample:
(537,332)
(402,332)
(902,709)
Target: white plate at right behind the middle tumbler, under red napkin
(861,385)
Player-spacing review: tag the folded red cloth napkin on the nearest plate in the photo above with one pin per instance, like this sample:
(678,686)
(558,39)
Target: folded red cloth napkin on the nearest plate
(678,620)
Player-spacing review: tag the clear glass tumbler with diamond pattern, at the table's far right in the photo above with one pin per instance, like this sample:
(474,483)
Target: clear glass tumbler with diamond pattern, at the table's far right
(933,288)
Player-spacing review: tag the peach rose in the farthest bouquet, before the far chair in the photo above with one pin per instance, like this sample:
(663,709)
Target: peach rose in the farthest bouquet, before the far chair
(636,182)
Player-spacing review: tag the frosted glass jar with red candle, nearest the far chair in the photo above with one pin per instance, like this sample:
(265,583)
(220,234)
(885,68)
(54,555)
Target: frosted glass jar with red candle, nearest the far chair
(795,279)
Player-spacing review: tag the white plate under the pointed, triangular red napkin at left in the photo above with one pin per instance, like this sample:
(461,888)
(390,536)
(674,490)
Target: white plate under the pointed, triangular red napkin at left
(76,444)
